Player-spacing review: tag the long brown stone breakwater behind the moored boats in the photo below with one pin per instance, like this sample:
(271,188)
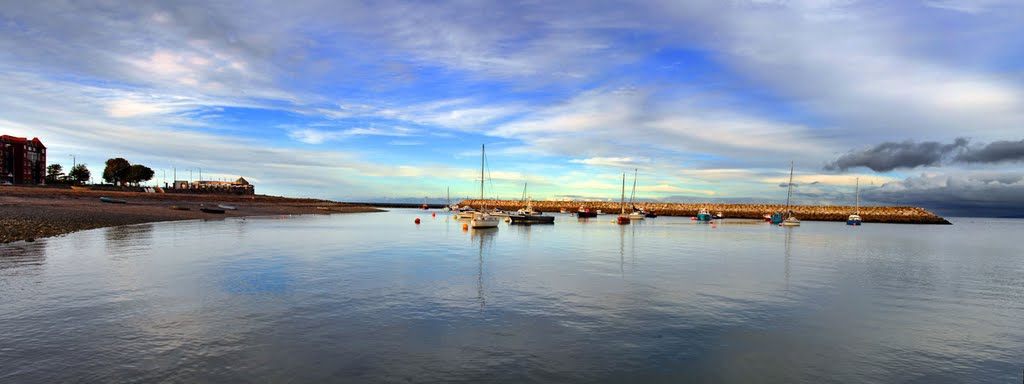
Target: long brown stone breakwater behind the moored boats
(909,216)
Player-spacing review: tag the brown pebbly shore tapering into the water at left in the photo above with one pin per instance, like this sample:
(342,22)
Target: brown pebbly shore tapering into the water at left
(29,214)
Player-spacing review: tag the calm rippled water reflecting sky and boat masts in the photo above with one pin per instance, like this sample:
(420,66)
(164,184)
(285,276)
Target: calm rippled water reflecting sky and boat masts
(373,297)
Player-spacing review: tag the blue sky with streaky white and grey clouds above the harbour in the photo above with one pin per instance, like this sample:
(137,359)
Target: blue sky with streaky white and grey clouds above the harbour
(922,102)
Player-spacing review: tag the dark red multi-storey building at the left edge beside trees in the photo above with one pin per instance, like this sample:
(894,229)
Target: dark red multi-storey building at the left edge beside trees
(22,161)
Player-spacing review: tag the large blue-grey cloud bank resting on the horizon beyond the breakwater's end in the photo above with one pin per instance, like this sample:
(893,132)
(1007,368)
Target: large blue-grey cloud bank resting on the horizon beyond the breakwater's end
(1000,195)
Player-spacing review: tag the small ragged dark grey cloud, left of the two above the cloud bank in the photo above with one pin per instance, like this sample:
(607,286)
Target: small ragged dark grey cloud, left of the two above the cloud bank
(889,156)
